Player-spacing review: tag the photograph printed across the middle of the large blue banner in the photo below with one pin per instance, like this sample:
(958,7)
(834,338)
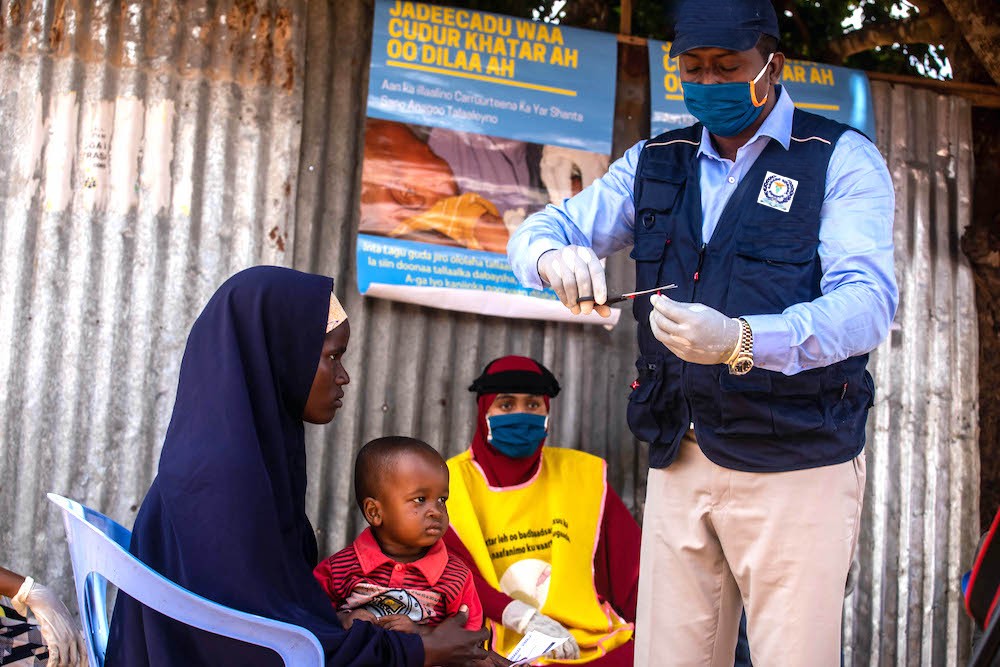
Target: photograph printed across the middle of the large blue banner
(468,190)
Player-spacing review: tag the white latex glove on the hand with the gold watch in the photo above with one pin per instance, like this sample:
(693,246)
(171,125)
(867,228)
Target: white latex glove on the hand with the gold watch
(692,331)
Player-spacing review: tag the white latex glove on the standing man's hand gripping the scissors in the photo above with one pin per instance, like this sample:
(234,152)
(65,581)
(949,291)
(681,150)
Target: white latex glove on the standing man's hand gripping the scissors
(575,271)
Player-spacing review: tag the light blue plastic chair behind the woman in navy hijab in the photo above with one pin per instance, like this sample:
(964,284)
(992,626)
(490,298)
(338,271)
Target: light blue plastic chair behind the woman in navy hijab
(98,548)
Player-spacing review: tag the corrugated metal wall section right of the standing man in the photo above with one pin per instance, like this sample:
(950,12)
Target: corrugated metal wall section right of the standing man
(922,501)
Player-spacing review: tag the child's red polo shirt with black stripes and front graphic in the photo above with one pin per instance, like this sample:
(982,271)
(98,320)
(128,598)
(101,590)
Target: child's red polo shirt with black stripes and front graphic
(427,590)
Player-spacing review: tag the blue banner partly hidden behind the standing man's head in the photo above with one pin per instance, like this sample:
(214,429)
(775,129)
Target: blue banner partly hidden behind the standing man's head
(835,92)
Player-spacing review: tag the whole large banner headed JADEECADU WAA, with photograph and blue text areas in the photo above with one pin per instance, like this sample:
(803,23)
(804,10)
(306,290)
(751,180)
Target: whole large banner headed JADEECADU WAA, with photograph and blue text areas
(475,121)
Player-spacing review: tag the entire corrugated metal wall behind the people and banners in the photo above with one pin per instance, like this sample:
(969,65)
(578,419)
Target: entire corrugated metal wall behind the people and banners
(150,149)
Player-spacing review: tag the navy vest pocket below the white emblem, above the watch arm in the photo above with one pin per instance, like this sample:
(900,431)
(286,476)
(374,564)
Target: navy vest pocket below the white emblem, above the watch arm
(770,274)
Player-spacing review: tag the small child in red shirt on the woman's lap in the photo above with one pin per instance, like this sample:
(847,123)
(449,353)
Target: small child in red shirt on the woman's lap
(398,573)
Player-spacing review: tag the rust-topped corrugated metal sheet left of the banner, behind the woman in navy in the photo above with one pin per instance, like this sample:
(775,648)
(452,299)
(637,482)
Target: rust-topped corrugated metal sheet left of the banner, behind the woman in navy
(148,149)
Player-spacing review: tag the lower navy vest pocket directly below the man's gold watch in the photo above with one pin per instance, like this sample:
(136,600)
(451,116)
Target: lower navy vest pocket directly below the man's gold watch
(762,403)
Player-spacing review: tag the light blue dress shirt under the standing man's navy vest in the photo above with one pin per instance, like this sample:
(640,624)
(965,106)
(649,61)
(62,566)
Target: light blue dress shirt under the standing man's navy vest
(855,242)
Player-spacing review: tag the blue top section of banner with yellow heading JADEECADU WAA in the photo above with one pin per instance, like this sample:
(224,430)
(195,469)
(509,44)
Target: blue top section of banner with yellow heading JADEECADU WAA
(492,74)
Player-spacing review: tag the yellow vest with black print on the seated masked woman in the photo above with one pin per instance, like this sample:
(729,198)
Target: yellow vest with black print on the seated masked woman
(536,542)
